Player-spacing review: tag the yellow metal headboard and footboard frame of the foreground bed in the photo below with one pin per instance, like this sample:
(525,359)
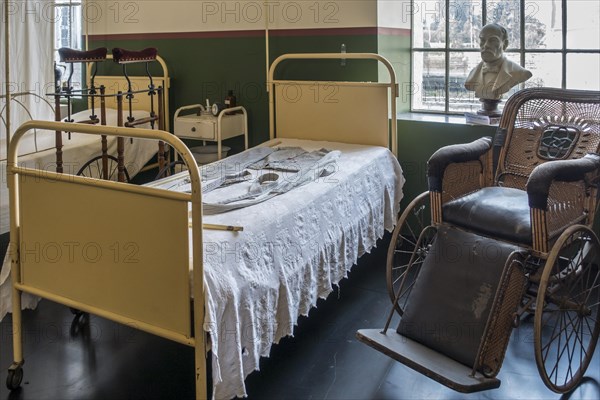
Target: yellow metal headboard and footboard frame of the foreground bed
(163,261)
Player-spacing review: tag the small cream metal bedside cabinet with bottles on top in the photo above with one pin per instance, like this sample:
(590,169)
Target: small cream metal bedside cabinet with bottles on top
(231,122)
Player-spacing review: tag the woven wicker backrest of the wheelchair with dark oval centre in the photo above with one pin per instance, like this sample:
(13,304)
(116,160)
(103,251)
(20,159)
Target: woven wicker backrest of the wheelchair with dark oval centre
(545,124)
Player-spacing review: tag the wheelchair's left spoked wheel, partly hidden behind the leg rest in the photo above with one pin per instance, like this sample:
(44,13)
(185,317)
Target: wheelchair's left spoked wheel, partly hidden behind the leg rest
(409,245)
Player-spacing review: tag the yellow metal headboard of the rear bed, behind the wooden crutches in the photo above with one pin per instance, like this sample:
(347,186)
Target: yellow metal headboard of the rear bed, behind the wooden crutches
(141,101)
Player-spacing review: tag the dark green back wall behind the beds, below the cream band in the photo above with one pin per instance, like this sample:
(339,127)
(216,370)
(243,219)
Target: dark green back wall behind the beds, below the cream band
(203,68)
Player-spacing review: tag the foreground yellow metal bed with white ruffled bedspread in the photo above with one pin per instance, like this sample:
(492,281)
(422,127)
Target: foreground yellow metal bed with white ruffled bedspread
(249,273)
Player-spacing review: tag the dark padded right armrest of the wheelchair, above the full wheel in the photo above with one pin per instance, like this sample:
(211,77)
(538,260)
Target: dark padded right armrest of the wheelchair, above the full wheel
(538,184)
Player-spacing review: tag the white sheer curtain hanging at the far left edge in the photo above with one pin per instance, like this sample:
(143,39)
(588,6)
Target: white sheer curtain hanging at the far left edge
(31,36)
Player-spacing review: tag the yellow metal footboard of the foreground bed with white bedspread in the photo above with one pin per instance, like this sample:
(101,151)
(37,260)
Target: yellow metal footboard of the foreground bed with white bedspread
(112,249)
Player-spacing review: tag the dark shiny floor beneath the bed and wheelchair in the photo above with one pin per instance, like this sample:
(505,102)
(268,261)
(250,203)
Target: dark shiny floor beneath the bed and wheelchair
(103,360)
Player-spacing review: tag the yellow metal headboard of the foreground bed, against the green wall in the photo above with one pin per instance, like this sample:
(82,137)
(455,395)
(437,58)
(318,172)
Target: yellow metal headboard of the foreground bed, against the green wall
(347,112)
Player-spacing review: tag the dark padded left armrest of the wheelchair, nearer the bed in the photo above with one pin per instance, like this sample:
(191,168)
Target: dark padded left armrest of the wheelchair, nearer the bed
(456,153)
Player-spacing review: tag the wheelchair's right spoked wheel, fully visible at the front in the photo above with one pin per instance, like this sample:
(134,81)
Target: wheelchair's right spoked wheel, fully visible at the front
(567,318)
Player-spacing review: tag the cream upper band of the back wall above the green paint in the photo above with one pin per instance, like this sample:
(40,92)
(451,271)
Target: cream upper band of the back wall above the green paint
(142,16)
